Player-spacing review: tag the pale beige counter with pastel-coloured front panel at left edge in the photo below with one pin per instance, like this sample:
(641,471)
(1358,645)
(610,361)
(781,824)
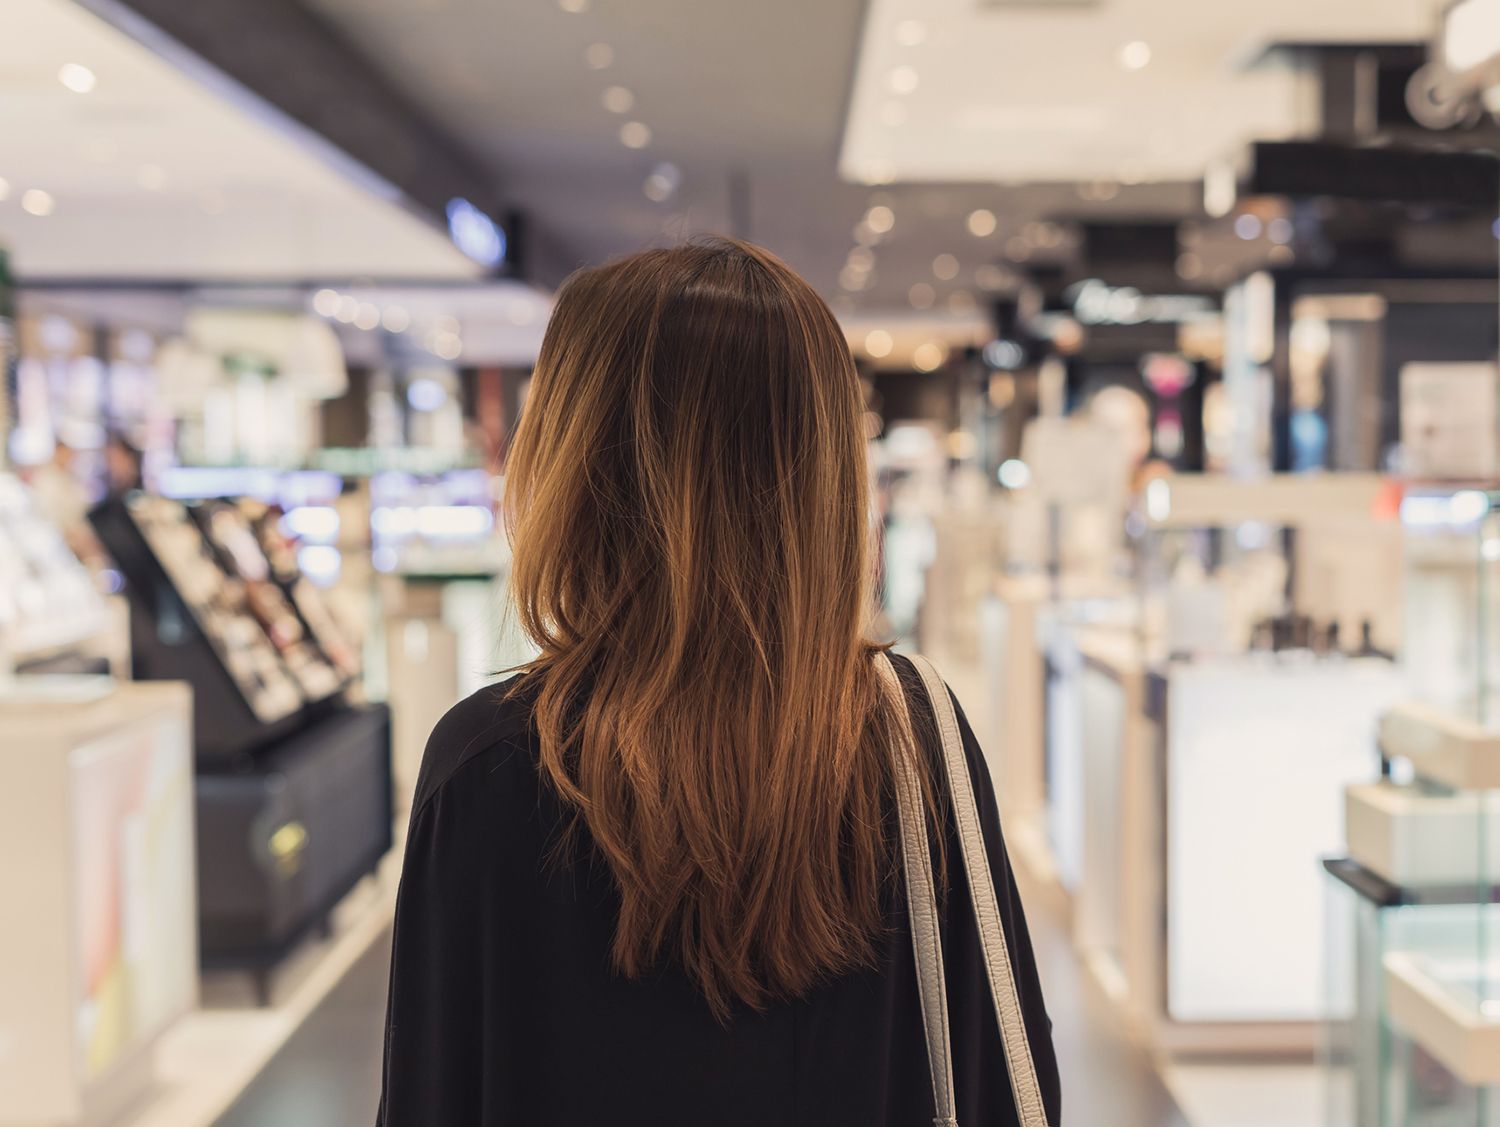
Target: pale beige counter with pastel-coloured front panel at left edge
(101,951)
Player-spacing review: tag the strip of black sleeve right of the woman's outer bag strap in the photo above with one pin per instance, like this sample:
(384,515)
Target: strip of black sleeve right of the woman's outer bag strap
(1013,918)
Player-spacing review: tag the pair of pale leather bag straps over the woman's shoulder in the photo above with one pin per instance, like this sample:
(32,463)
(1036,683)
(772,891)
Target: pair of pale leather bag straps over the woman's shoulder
(1030,1108)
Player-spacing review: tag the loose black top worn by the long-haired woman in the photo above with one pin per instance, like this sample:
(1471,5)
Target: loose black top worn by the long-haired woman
(505,1011)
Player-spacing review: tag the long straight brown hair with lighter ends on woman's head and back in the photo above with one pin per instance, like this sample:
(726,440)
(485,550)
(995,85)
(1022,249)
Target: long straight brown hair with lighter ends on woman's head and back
(686,496)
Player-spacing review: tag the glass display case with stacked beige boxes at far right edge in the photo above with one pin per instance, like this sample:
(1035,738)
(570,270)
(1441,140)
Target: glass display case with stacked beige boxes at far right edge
(1414,967)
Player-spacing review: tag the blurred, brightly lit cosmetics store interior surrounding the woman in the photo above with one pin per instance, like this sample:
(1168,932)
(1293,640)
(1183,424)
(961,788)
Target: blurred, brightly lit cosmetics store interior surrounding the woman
(1178,328)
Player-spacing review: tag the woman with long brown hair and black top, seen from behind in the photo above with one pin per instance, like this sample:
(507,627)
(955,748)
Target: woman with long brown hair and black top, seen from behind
(653,879)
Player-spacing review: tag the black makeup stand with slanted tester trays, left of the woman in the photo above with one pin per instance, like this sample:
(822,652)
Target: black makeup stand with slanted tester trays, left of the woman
(295,795)
